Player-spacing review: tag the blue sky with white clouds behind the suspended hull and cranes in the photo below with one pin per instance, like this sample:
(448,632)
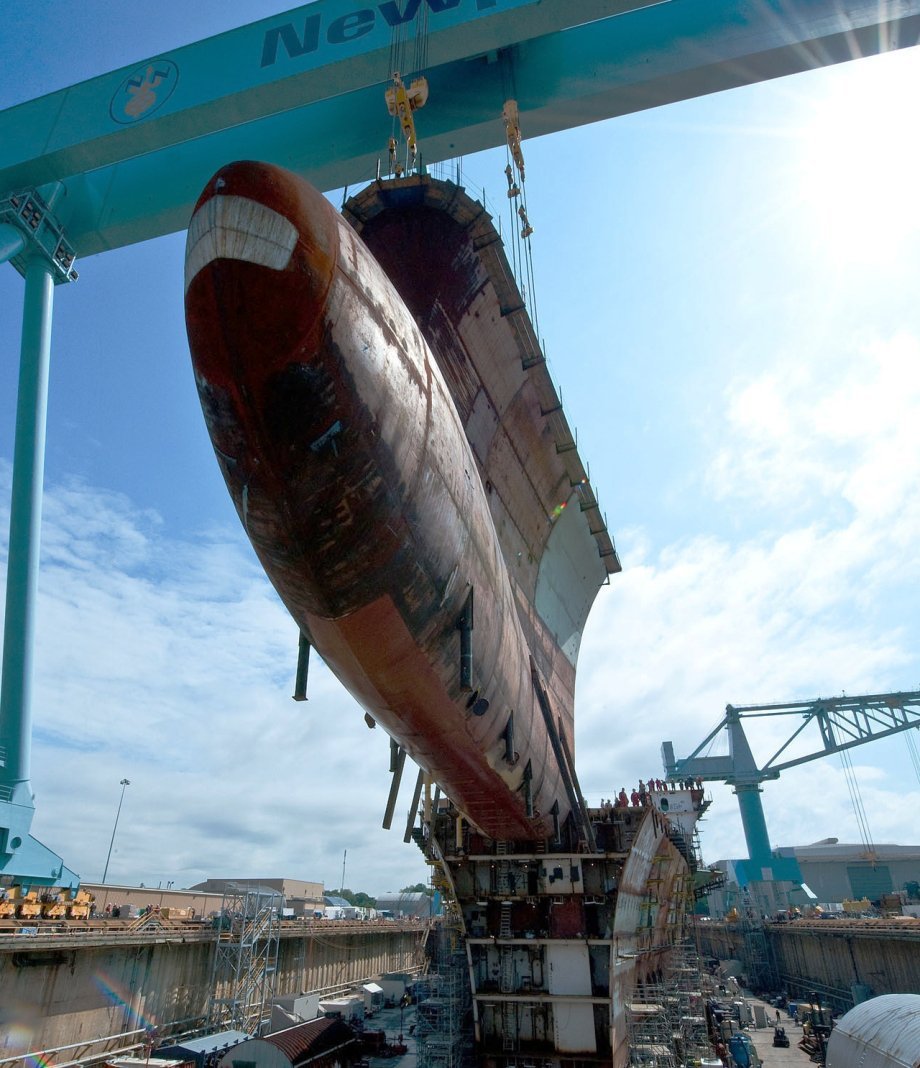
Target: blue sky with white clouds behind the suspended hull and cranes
(728,291)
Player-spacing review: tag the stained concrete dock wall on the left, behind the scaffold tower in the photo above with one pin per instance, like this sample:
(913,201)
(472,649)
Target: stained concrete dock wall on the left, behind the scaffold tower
(61,990)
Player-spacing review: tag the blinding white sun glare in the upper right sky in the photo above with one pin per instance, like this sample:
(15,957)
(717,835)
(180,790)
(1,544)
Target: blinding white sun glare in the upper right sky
(861,168)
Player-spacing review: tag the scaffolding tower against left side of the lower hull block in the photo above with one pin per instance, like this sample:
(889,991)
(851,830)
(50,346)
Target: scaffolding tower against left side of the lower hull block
(444,1034)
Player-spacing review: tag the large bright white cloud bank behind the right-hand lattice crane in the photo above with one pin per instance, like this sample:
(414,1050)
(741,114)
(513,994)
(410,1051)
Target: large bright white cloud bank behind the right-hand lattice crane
(818,598)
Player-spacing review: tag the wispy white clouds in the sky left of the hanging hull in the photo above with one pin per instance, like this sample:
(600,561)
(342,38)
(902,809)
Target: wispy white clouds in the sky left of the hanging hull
(171,664)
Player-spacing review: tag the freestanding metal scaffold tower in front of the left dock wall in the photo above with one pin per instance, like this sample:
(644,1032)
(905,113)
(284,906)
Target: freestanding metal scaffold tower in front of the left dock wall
(246,960)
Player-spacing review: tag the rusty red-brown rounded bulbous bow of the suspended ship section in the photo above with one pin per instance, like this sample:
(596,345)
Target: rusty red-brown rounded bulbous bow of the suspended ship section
(351,469)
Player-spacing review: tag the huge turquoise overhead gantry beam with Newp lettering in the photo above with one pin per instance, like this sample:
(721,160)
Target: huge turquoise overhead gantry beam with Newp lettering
(305,90)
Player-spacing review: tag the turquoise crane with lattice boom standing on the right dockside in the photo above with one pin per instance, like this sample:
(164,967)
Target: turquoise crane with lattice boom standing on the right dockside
(844,724)
